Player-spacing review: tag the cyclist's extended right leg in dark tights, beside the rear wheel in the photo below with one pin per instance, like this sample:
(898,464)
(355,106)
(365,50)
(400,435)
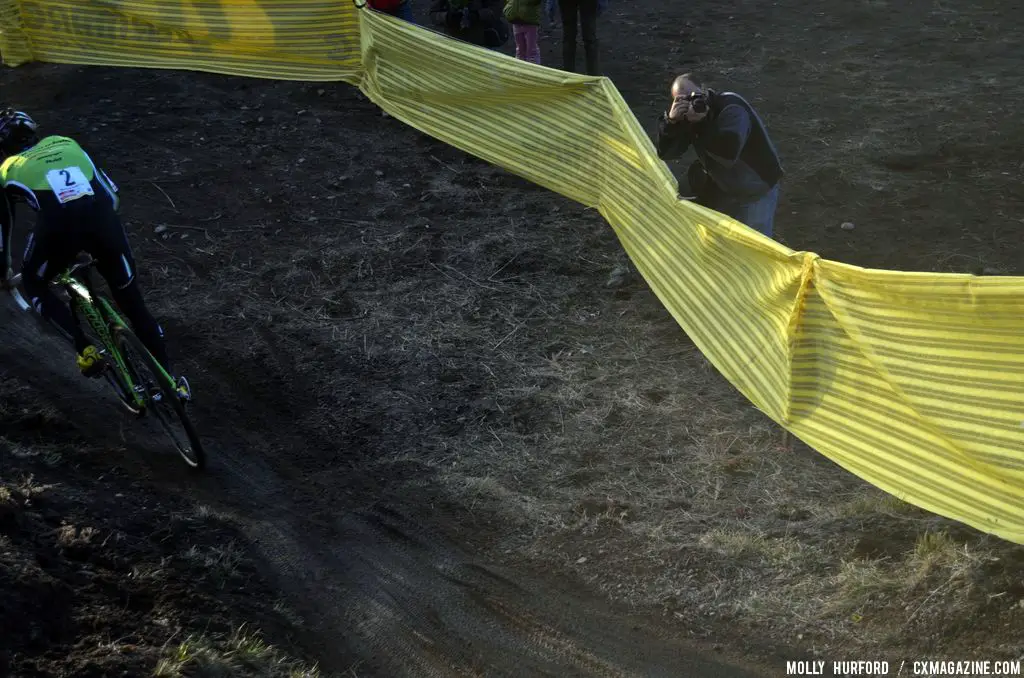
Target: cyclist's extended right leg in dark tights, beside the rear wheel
(115,262)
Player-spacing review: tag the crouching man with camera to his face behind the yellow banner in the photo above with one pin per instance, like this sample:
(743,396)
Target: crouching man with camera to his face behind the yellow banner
(738,168)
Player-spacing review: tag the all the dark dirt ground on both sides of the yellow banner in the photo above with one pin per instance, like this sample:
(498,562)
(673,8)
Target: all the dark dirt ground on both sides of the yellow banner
(440,437)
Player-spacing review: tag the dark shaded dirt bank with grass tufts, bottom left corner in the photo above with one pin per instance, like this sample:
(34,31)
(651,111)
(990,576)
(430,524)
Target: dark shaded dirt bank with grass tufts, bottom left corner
(99,577)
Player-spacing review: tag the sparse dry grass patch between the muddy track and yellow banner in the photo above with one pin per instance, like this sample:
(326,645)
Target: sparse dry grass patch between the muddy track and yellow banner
(582,421)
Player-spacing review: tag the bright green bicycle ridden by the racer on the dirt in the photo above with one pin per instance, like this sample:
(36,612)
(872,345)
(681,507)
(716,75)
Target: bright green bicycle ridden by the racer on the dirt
(142,385)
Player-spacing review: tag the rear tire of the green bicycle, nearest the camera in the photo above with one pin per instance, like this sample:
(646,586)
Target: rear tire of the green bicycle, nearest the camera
(133,351)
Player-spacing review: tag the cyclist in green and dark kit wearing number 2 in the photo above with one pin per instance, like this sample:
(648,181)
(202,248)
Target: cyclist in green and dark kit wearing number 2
(77,210)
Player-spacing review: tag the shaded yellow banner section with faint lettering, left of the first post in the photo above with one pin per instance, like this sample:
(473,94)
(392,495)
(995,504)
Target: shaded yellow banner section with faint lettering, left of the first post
(280,39)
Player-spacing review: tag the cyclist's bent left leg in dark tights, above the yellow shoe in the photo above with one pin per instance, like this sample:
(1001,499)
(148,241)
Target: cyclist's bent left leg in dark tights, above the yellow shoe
(51,249)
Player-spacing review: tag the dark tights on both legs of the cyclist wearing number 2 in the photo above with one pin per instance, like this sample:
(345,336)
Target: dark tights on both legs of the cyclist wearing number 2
(91,226)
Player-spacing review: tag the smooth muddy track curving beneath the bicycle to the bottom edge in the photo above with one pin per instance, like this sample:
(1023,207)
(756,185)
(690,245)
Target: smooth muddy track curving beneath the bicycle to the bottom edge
(387,595)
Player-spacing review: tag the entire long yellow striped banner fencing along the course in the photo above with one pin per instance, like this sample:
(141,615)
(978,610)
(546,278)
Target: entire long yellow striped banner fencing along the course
(913,382)
